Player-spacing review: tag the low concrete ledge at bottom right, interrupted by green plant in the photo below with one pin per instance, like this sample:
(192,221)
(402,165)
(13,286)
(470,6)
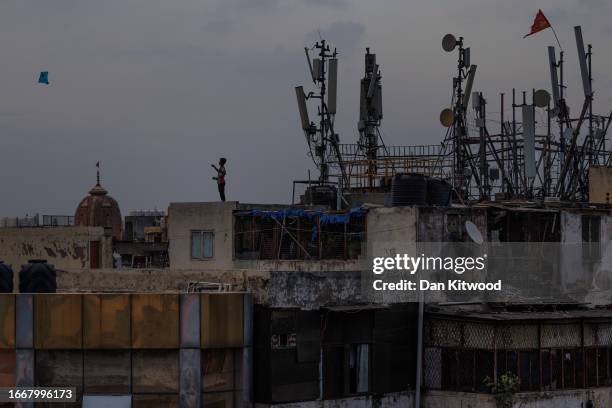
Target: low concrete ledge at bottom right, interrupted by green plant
(602,397)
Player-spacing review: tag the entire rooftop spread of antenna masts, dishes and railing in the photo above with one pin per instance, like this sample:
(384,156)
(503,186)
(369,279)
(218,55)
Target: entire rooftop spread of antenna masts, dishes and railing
(527,158)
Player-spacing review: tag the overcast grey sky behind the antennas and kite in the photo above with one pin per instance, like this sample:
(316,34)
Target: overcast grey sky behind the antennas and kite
(156,90)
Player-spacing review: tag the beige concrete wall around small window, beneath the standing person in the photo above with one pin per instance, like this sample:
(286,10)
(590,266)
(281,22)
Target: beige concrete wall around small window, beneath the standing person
(186,217)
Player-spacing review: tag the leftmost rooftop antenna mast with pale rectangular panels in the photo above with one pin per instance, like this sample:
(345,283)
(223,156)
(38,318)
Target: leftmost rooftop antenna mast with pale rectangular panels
(321,138)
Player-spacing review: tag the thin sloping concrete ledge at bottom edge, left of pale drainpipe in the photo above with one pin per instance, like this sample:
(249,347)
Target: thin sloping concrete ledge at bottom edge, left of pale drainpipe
(400,399)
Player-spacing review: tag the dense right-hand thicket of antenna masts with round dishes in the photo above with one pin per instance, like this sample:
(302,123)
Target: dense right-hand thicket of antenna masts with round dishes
(521,160)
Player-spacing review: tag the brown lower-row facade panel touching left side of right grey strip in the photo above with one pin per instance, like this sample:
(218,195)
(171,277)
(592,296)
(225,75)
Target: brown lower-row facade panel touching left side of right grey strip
(155,371)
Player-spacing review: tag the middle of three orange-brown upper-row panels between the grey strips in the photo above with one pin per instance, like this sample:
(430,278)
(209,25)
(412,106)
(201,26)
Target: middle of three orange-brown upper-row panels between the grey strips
(106,321)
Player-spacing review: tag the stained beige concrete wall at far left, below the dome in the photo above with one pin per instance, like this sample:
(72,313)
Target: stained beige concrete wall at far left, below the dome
(65,247)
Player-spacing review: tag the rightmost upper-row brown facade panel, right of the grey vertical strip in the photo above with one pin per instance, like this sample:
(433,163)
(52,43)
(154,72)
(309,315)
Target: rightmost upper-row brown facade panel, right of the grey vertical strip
(222,320)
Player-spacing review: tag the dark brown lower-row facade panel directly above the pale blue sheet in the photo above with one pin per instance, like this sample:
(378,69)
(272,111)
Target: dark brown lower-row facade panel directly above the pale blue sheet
(107,371)
